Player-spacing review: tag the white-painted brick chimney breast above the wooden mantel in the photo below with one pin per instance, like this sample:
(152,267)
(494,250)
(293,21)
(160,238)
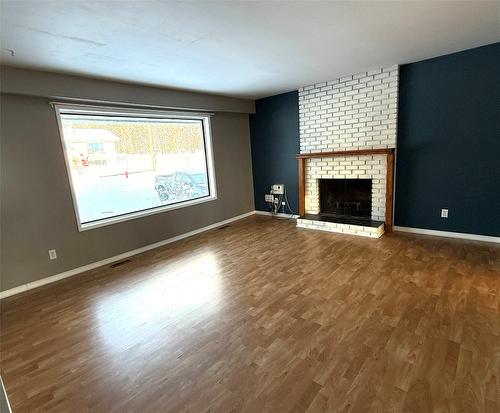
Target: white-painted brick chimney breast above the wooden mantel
(353,112)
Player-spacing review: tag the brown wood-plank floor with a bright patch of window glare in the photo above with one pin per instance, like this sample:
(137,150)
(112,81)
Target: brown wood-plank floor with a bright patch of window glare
(264,317)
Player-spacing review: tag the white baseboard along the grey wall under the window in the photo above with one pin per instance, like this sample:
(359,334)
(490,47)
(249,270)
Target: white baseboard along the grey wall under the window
(66,274)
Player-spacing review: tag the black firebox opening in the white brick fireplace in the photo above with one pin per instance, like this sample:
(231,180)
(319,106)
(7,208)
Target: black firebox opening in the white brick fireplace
(346,197)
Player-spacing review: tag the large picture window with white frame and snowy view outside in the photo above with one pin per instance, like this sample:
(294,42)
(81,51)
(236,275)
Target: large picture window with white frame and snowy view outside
(123,164)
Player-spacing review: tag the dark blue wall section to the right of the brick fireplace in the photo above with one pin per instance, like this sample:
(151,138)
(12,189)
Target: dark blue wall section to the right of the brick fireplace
(448,152)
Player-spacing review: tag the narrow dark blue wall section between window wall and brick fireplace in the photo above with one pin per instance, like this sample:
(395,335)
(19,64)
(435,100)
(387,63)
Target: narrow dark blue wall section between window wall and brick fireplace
(274,130)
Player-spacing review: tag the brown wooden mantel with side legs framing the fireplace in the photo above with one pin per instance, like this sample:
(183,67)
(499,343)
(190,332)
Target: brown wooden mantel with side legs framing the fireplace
(389,191)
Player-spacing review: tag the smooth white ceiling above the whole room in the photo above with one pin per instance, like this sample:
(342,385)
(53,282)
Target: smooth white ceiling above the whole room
(244,49)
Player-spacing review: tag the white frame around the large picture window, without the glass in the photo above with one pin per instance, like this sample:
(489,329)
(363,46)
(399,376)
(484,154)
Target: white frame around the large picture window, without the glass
(82,109)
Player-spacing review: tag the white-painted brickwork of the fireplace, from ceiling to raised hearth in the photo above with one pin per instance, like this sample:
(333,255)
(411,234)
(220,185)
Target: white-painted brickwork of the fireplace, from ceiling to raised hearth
(353,113)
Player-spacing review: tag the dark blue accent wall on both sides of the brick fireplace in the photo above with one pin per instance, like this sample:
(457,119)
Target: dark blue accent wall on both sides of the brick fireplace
(448,152)
